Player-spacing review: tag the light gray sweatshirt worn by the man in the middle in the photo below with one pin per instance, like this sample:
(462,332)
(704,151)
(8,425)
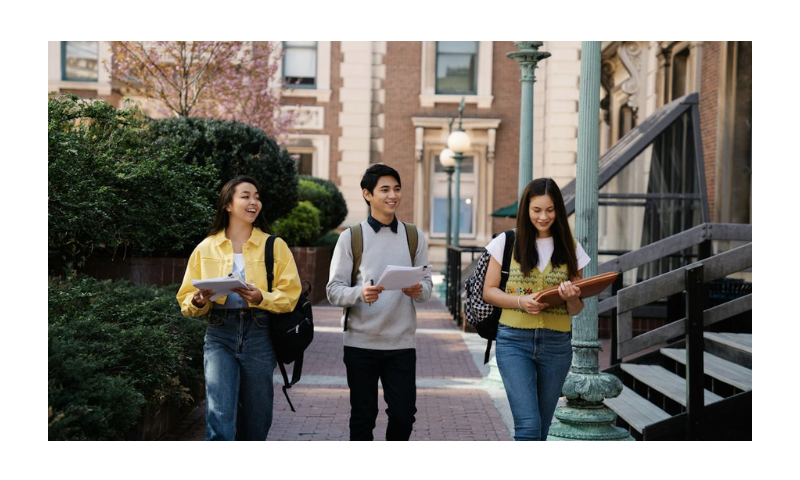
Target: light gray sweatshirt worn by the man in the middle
(390,323)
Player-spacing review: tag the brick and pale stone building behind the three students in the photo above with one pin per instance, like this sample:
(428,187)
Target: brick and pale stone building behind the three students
(391,102)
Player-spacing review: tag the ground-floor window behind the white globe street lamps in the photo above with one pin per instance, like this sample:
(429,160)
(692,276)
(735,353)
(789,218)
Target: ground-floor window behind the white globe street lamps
(468,207)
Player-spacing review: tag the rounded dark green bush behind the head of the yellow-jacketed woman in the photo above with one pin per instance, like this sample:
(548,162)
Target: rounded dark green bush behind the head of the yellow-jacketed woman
(232,149)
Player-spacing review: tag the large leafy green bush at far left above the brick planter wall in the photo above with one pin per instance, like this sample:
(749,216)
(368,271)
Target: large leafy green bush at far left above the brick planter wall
(110,190)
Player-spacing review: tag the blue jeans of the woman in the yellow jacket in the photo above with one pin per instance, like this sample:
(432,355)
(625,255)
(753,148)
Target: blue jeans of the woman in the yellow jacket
(238,364)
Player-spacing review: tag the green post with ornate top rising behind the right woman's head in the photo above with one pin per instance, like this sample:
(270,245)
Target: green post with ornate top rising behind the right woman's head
(527,57)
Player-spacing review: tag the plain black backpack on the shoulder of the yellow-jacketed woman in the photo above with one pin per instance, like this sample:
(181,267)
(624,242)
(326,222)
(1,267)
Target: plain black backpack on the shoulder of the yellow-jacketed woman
(291,332)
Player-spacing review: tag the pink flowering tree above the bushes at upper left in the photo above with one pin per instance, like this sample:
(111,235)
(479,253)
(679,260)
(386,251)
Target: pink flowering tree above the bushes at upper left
(226,80)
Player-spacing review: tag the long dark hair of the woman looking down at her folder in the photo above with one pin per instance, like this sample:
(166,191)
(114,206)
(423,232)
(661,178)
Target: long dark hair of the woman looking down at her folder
(564,245)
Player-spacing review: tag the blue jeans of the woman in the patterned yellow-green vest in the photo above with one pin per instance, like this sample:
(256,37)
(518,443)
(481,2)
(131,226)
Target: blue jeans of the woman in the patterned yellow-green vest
(533,364)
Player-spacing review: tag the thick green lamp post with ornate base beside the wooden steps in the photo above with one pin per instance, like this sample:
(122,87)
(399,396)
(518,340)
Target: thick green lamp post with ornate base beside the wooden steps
(585,417)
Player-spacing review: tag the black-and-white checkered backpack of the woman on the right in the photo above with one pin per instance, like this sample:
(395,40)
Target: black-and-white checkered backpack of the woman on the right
(485,317)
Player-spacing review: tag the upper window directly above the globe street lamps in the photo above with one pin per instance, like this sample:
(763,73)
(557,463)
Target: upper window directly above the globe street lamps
(457,68)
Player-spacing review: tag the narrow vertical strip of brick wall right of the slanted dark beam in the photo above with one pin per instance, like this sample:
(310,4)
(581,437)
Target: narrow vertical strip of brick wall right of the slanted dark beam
(710,78)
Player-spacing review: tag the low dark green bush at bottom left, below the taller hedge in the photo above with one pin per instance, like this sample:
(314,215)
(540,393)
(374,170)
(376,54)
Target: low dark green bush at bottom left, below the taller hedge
(116,352)
